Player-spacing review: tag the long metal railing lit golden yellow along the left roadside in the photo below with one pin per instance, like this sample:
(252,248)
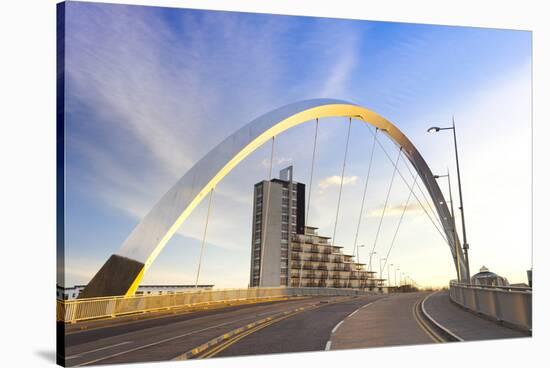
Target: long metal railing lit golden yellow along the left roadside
(70,311)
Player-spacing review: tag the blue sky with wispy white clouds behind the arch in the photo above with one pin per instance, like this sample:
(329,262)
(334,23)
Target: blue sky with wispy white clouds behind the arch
(149,91)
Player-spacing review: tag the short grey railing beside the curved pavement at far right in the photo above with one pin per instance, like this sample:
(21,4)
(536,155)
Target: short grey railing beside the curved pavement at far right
(512,305)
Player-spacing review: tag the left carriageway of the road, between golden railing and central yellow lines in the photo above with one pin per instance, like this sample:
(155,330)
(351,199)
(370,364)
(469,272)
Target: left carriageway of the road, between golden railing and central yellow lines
(158,339)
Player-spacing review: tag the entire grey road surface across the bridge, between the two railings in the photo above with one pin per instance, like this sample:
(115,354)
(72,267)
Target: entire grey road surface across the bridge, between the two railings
(327,323)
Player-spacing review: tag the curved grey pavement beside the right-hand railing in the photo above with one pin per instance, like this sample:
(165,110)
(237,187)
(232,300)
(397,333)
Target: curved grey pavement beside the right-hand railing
(465,324)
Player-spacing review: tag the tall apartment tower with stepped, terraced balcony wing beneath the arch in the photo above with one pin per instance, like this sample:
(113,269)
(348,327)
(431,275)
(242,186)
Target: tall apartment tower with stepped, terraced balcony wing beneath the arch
(293,253)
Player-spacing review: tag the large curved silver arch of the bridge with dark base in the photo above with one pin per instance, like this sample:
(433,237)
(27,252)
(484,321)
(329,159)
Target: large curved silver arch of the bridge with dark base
(122,273)
